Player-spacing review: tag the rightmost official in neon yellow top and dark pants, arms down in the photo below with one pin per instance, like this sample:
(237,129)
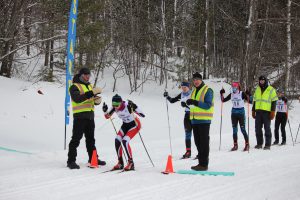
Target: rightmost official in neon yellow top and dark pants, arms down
(263,111)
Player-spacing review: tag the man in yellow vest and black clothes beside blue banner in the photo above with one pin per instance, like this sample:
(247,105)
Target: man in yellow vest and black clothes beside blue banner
(84,97)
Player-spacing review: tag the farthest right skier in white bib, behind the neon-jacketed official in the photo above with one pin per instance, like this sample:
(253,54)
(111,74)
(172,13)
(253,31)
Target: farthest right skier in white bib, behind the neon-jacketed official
(281,117)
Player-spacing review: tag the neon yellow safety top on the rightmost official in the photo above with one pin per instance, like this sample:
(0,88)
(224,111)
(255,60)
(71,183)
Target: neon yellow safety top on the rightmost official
(264,101)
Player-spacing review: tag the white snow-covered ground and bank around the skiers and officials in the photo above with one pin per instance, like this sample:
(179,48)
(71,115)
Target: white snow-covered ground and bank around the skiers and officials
(32,125)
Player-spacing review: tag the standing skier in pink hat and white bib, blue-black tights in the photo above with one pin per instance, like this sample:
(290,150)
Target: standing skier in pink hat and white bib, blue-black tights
(237,113)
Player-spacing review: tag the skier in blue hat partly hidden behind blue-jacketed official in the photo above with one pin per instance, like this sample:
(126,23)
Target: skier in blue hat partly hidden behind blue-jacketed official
(183,96)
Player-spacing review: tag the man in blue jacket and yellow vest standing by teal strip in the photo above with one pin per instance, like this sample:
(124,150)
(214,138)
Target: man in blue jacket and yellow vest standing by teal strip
(201,106)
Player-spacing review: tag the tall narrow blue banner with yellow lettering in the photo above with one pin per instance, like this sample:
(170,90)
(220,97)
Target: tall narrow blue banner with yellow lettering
(70,56)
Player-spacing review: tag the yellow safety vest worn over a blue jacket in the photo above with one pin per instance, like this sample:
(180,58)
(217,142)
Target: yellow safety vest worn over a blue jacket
(198,113)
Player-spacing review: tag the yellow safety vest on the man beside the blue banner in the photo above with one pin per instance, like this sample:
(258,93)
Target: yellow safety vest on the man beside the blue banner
(85,106)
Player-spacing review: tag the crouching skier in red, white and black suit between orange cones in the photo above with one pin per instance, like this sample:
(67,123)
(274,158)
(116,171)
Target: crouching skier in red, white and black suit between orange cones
(130,127)
